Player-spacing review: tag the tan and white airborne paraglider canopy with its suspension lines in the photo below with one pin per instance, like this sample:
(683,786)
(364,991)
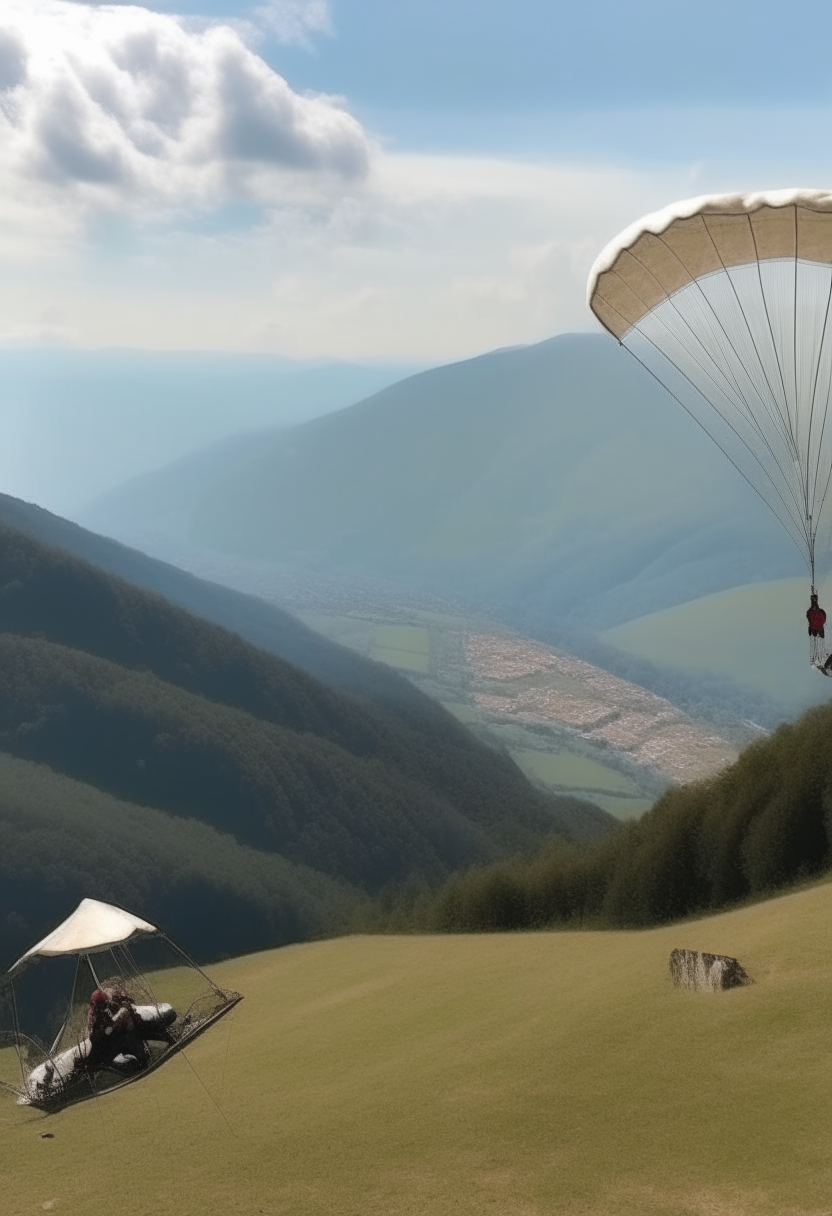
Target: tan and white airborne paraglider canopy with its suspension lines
(727,300)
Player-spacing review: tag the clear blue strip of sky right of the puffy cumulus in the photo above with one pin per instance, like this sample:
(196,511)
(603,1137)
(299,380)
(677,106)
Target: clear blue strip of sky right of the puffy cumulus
(544,55)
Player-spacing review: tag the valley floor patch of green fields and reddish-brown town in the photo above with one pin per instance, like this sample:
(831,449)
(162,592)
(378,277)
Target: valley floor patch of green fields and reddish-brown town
(570,727)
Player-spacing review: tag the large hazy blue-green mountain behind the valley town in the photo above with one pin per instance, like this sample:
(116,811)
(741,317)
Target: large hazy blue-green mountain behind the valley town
(552,482)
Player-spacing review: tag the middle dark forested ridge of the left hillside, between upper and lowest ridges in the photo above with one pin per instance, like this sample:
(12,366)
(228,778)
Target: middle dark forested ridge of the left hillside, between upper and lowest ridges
(356,818)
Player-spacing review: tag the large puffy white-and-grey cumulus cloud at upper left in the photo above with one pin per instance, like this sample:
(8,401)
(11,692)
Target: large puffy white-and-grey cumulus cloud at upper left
(121,106)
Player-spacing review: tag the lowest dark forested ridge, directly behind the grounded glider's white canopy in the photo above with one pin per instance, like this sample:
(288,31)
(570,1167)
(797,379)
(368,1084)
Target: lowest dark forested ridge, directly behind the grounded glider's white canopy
(63,841)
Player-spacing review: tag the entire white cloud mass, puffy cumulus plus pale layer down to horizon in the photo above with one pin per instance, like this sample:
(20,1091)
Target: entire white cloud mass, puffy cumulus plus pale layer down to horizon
(121,115)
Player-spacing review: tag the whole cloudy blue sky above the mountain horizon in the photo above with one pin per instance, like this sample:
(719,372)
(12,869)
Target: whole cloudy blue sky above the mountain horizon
(373,179)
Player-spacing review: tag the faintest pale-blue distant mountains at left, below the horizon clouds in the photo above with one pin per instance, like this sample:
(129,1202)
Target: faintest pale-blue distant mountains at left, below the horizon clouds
(80,423)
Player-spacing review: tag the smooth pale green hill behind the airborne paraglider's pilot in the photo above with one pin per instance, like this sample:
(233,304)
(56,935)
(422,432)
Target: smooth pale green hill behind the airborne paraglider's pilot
(754,634)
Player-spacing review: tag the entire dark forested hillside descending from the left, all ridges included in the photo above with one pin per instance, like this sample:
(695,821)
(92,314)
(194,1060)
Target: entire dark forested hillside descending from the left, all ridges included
(150,736)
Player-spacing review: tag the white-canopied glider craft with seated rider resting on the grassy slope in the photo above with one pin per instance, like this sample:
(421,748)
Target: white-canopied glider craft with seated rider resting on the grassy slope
(100,1001)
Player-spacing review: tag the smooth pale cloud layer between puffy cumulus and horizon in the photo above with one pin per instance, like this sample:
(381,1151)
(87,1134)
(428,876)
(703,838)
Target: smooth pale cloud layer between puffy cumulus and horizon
(430,258)
